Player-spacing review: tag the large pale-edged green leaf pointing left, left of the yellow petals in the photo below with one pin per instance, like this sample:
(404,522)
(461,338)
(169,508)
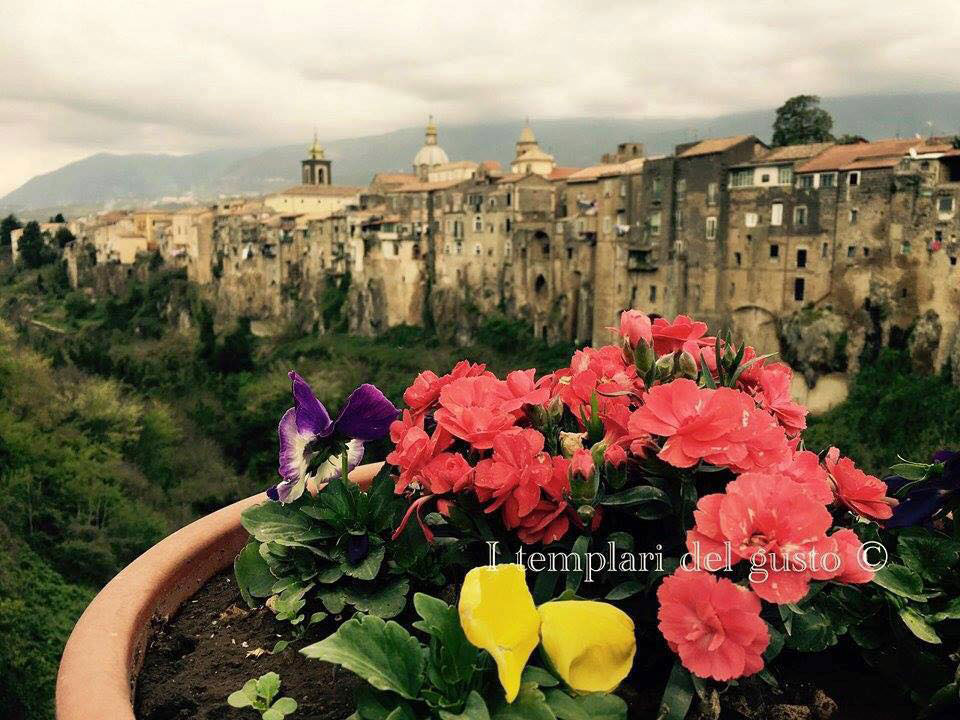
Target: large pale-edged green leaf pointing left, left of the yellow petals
(382,653)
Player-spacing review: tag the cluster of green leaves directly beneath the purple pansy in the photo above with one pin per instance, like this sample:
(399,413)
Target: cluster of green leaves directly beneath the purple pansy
(333,549)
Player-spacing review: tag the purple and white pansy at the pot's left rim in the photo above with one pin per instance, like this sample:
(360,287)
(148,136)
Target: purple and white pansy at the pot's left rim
(307,431)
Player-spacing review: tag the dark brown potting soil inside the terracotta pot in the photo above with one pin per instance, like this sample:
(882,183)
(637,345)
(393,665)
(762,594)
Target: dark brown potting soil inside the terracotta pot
(216,643)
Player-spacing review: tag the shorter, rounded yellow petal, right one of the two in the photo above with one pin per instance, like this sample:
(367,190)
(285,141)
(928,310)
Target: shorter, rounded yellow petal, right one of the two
(590,644)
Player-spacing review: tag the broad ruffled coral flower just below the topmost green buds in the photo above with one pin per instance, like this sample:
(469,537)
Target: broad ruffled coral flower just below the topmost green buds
(694,420)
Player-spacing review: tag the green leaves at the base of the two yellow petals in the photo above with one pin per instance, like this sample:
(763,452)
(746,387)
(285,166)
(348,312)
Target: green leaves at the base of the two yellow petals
(446,679)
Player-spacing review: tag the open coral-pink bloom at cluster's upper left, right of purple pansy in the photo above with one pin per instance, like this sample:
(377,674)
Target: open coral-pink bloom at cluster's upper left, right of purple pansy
(472,409)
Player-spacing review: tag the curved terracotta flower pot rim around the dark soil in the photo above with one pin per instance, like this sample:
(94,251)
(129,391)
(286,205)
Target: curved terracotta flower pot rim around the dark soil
(98,670)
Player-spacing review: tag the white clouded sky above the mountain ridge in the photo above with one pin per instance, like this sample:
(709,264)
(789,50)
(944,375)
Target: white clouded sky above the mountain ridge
(142,76)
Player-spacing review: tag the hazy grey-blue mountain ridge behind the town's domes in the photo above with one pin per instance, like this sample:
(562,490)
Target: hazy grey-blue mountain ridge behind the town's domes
(115,180)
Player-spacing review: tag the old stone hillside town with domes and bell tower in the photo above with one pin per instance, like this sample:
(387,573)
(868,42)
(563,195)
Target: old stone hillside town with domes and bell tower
(832,243)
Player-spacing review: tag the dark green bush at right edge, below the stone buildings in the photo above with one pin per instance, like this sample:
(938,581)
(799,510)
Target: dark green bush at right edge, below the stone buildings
(890,409)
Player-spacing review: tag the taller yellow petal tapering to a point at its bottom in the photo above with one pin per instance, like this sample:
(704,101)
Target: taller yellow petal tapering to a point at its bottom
(498,615)
